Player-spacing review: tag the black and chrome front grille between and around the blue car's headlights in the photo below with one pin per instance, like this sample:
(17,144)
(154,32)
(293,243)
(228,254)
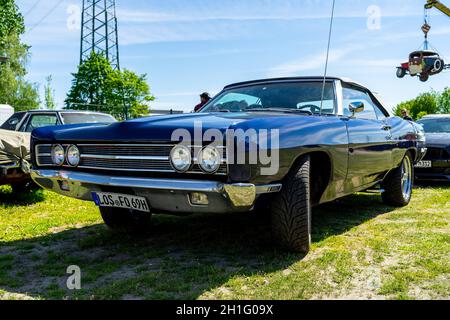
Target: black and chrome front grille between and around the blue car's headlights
(126,158)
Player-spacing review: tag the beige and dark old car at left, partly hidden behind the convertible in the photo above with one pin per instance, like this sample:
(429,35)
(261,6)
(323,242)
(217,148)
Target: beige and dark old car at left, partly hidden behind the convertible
(15,136)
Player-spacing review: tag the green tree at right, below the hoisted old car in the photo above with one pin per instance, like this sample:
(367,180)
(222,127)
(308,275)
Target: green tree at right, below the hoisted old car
(423,105)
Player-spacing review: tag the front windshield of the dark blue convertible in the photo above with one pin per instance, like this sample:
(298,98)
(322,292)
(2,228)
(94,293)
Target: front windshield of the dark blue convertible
(298,96)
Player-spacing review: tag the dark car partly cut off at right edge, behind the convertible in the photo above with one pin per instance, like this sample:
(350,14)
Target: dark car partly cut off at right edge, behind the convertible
(436,164)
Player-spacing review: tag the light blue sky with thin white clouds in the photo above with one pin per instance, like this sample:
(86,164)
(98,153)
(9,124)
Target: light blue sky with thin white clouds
(187,47)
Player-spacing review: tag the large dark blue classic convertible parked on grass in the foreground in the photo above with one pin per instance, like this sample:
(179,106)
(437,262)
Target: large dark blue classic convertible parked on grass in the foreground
(280,145)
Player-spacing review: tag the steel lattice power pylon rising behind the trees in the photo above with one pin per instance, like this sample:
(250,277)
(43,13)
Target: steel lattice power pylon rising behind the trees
(99,30)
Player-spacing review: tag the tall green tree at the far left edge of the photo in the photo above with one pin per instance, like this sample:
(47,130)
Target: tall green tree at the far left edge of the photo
(14,89)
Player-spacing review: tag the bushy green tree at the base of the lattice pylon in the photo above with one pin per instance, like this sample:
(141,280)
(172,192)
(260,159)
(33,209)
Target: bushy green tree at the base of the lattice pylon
(98,87)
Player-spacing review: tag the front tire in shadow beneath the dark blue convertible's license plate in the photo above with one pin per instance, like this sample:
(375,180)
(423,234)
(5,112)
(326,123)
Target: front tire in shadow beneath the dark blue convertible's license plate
(125,220)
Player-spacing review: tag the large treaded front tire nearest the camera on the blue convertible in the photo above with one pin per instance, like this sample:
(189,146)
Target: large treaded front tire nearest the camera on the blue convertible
(291,210)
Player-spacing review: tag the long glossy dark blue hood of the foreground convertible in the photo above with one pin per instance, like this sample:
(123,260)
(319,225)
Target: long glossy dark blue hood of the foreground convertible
(160,128)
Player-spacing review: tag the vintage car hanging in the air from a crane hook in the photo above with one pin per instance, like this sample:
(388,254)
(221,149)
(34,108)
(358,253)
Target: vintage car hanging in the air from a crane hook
(422,64)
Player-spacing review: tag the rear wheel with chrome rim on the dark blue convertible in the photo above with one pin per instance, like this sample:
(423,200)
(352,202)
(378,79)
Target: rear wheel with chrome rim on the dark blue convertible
(399,183)
